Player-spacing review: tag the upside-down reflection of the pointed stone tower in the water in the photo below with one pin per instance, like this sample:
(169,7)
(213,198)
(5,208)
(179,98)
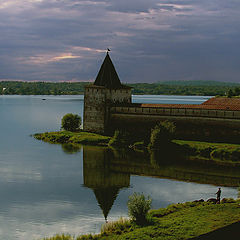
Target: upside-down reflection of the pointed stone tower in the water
(97,176)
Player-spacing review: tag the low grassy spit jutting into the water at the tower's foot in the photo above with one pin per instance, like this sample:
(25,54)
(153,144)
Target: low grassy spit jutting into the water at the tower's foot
(73,138)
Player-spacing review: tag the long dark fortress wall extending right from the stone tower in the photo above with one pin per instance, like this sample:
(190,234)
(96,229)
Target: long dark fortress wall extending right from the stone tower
(195,124)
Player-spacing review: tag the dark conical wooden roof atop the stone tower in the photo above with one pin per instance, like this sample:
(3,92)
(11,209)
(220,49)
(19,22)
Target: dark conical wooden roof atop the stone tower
(107,75)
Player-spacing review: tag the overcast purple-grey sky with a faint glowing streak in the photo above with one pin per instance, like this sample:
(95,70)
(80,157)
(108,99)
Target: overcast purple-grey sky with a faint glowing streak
(150,40)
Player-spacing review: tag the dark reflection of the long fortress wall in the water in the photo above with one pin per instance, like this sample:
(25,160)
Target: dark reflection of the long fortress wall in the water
(178,169)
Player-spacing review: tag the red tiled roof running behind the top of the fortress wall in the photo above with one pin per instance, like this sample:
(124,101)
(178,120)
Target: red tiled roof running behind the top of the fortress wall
(211,104)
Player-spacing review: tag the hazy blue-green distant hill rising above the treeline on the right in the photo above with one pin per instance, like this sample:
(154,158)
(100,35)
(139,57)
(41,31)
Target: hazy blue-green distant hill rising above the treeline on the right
(199,83)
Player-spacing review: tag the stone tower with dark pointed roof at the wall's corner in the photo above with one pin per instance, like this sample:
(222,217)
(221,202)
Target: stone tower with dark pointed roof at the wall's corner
(106,91)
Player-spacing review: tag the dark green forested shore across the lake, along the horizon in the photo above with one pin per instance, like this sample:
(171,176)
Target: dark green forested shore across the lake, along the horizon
(197,88)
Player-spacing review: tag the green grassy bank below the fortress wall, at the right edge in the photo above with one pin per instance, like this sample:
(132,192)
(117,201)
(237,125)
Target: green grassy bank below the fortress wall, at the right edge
(221,152)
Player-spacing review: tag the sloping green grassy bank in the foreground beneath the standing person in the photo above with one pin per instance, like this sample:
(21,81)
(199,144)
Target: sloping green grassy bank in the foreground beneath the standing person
(178,221)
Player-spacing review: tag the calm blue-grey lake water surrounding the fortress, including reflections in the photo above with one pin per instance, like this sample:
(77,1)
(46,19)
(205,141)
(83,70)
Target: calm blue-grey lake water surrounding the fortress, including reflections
(47,189)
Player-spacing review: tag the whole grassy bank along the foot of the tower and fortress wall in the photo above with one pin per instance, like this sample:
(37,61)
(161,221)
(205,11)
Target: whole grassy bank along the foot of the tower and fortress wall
(218,152)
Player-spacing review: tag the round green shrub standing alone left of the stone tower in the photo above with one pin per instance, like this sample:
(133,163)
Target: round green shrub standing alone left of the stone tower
(71,122)
